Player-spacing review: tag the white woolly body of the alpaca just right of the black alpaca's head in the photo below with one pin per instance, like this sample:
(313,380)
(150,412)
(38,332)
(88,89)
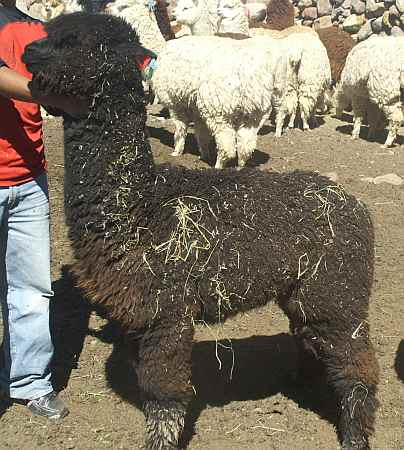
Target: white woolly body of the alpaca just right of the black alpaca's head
(214,72)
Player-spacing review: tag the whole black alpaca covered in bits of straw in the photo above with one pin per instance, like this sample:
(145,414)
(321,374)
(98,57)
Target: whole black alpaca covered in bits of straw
(249,237)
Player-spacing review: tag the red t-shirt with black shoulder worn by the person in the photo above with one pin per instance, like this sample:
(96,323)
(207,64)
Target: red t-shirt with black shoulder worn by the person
(22,155)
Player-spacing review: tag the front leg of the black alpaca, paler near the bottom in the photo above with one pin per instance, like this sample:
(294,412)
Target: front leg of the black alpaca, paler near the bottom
(164,373)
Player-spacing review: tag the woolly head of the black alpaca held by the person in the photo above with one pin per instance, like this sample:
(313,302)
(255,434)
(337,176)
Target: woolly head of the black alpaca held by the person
(88,56)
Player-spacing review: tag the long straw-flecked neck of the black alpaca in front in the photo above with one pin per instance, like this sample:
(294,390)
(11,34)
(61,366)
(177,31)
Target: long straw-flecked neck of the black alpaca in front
(110,171)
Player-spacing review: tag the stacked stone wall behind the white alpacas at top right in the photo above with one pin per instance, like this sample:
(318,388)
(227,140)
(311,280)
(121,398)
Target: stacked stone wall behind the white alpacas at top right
(361,18)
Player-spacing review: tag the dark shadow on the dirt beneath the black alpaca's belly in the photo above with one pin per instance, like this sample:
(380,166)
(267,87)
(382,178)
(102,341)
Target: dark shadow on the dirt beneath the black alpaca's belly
(244,369)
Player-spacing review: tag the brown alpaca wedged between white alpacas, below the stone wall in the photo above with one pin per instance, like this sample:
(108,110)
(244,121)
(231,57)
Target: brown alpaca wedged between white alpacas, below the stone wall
(338,44)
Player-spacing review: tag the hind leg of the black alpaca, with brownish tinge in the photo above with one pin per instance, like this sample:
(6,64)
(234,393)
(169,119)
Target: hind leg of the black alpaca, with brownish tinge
(339,339)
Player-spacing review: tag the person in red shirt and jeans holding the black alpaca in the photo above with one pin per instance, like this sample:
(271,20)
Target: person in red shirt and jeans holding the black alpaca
(25,282)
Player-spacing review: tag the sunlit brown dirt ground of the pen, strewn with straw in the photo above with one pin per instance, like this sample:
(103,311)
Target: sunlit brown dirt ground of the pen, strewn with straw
(259,408)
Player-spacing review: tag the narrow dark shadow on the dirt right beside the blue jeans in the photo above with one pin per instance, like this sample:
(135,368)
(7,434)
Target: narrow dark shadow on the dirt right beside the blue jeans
(69,318)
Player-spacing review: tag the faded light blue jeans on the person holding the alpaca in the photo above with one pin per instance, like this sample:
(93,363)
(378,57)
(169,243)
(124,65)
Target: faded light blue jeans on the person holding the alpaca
(25,289)
